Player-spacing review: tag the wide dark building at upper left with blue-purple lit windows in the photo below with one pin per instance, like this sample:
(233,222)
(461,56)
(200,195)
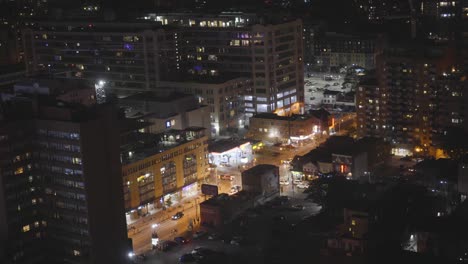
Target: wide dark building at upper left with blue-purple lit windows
(128,56)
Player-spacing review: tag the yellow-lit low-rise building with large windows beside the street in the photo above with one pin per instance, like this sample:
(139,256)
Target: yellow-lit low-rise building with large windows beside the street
(160,169)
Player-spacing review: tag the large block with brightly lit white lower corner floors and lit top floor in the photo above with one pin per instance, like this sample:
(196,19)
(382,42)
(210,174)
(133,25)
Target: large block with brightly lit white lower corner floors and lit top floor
(242,45)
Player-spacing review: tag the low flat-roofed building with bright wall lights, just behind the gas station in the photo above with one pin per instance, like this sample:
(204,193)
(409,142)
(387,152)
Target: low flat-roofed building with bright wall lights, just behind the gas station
(271,127)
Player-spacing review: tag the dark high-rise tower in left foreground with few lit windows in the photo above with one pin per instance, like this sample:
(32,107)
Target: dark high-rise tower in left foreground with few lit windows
(61,198)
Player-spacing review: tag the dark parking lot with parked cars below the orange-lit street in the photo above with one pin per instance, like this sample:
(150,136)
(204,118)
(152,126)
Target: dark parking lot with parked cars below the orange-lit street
(245,238)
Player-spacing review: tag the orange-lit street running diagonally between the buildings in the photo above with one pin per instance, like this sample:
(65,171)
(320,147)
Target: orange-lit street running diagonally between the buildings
(142,231)
